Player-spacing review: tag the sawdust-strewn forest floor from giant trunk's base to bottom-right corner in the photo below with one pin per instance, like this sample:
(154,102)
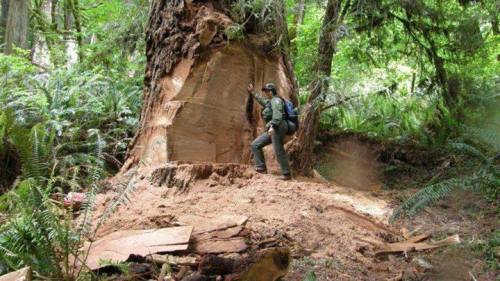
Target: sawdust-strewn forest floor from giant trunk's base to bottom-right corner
(326,224)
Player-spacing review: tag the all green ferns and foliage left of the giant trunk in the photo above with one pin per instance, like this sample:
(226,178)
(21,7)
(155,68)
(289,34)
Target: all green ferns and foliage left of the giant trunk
(67,129)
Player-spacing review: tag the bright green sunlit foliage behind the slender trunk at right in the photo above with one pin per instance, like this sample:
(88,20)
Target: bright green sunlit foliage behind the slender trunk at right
(382,62)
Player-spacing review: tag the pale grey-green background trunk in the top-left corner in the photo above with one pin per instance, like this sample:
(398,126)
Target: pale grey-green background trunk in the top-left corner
(16,32)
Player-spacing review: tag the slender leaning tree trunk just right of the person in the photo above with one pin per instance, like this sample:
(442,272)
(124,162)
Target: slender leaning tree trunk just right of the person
(302,148)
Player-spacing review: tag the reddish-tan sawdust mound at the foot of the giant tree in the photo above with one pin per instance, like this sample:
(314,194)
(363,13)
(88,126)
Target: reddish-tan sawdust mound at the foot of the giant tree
(320,221)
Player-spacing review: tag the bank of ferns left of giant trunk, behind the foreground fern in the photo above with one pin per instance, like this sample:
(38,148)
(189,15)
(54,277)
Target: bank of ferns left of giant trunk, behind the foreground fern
(66,110)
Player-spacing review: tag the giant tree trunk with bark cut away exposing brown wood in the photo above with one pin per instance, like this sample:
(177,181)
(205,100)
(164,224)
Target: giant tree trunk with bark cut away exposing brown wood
(195,104)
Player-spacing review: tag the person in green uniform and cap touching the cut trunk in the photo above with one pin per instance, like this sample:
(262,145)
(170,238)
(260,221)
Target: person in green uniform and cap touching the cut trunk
(276,129)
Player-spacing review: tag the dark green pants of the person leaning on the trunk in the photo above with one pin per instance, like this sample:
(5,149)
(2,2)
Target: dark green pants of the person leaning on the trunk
(277,140)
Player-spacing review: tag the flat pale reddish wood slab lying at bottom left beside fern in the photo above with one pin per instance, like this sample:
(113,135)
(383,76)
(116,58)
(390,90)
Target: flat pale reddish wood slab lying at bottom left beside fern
(118,246)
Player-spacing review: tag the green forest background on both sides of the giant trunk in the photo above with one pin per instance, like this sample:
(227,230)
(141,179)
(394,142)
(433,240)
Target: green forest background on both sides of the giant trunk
(419,73)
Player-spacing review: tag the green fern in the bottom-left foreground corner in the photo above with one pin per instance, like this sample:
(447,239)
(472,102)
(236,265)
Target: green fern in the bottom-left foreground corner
(38,231)
